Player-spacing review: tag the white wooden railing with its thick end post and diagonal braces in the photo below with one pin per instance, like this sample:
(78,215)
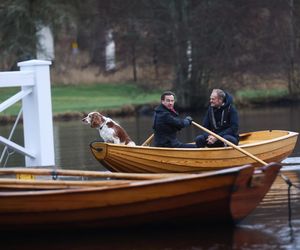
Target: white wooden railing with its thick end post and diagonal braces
(34,80)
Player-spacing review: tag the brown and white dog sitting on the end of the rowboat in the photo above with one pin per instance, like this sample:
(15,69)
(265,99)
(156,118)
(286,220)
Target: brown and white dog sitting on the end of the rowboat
(109,130)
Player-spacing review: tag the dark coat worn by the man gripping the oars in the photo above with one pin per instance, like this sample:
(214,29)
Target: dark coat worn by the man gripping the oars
(166,123)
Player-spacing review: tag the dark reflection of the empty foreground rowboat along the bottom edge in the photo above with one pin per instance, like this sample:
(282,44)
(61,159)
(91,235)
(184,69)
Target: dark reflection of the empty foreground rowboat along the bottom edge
(212,237)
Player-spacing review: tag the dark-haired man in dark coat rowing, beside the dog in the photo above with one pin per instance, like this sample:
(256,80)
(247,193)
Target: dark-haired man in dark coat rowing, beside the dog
(166,123)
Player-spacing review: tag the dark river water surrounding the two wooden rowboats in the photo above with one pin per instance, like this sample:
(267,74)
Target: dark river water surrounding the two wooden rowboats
(268,227)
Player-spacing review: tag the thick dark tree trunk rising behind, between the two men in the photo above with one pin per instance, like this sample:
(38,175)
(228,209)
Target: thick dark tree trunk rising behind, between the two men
(191,80)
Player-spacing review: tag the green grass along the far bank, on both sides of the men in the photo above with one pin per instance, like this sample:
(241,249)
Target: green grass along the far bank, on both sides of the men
(73,100)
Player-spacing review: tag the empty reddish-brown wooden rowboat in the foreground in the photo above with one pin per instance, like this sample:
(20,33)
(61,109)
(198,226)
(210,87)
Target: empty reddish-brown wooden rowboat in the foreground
(221,196)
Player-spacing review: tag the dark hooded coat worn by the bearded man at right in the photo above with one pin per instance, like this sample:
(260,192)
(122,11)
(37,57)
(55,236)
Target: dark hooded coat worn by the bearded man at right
(223,120)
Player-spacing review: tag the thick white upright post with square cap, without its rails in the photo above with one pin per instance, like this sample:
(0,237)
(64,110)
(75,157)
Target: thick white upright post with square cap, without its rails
(37,115)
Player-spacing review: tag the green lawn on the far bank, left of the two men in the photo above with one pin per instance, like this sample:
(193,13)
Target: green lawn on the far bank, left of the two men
(85,98)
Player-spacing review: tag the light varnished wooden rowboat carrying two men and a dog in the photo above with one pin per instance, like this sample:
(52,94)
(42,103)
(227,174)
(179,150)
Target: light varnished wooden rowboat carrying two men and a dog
(269,146)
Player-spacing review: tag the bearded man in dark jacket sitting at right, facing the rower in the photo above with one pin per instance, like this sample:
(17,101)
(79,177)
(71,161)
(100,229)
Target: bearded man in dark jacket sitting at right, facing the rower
(221,118)
